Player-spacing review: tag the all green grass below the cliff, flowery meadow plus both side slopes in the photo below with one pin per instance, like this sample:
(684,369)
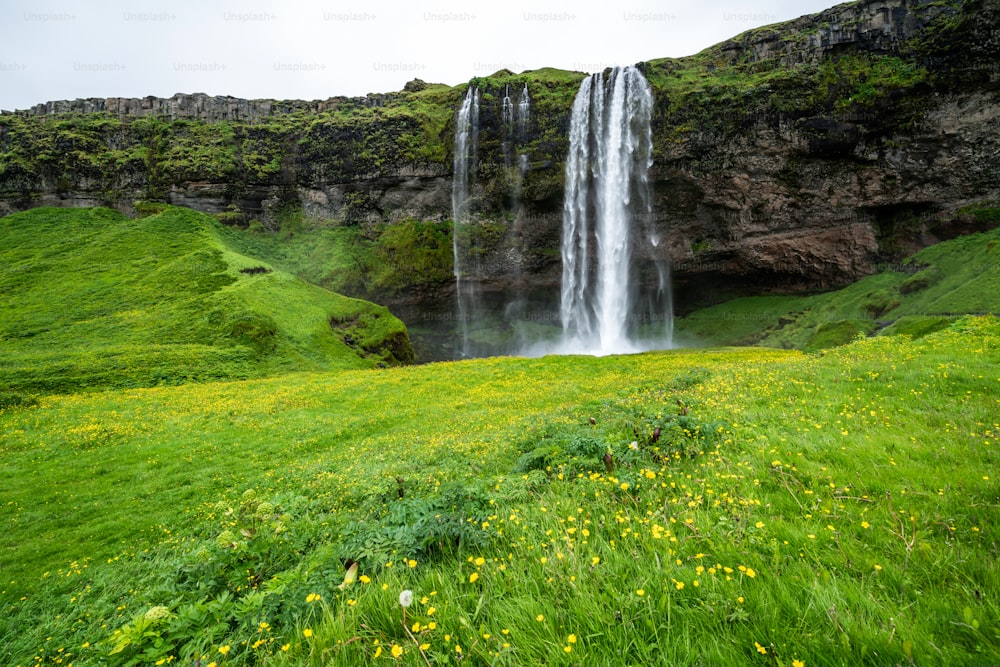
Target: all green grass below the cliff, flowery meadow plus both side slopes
(206,466)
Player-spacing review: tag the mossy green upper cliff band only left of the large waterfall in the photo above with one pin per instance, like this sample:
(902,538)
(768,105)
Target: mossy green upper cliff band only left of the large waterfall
(142,157)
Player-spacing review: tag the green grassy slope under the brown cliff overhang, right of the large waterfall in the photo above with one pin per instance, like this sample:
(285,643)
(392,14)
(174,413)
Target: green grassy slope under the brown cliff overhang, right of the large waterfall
(923,294)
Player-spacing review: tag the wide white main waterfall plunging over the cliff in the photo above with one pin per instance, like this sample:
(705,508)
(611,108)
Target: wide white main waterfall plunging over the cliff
(607,191)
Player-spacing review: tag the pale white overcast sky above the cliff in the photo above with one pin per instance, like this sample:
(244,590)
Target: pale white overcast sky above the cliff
(315,49)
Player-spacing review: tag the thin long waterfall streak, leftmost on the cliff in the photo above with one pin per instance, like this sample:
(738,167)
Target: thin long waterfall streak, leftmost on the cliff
(464,166)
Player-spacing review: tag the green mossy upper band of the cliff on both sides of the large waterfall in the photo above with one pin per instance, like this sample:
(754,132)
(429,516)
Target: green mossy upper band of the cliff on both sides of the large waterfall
(813,67)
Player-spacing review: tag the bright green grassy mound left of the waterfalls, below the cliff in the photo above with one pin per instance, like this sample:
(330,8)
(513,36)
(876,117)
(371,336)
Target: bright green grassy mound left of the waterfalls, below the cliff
(90,298)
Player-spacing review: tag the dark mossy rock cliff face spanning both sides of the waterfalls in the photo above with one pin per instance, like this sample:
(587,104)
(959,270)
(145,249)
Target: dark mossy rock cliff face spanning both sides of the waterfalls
(799,156)
